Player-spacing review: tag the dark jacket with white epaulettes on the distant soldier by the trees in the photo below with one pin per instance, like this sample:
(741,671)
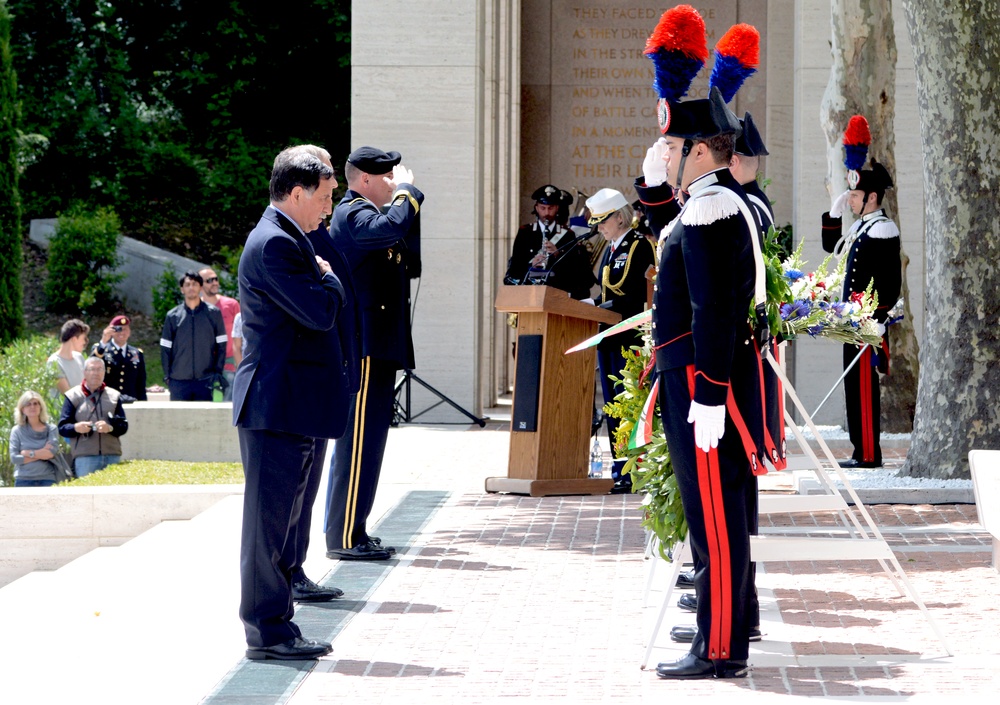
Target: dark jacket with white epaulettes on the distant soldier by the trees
(873,253)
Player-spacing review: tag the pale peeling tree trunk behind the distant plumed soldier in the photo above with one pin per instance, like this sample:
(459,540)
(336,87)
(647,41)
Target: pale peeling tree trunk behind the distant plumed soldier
(863,81)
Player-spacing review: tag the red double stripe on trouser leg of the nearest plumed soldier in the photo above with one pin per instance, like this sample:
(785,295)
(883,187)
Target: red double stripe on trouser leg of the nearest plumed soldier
(717,540)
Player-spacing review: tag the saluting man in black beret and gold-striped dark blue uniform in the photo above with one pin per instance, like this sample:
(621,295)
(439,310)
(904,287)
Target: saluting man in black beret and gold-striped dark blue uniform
(373,226)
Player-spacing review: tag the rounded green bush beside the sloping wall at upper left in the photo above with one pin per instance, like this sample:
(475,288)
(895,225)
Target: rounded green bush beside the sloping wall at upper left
(83,254)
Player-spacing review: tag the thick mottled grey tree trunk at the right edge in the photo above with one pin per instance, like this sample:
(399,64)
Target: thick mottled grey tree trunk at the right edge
(957,56)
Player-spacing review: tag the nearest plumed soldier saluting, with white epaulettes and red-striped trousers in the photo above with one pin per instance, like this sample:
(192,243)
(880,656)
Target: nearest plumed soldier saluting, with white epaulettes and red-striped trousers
(707,278)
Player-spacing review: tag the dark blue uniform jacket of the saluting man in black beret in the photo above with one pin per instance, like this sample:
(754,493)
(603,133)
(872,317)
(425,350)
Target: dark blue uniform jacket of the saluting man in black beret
(381,247)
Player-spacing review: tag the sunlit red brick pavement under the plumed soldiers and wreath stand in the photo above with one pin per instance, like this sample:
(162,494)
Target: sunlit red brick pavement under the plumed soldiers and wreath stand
(506,596)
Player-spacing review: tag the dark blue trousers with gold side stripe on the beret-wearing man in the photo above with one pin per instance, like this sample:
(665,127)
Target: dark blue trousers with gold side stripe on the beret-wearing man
(357,457)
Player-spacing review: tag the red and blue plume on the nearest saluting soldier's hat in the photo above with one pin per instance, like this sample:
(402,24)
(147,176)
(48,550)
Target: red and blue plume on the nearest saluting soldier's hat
(678,50)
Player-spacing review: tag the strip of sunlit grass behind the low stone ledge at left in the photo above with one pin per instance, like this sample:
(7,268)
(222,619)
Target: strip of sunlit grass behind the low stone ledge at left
(163,472)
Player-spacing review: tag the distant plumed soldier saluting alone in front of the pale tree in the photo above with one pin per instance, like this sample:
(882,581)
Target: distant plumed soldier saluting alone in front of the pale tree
(872,249)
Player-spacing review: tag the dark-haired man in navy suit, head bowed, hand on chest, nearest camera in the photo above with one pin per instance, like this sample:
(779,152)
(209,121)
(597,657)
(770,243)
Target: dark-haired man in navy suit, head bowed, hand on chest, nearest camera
(292,387)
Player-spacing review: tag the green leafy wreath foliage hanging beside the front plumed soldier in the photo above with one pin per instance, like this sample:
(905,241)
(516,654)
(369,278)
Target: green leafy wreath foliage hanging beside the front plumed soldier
(649,465)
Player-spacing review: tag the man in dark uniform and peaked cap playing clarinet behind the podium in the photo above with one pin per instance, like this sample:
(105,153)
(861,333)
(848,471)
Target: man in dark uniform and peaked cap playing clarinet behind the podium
(545,251)
